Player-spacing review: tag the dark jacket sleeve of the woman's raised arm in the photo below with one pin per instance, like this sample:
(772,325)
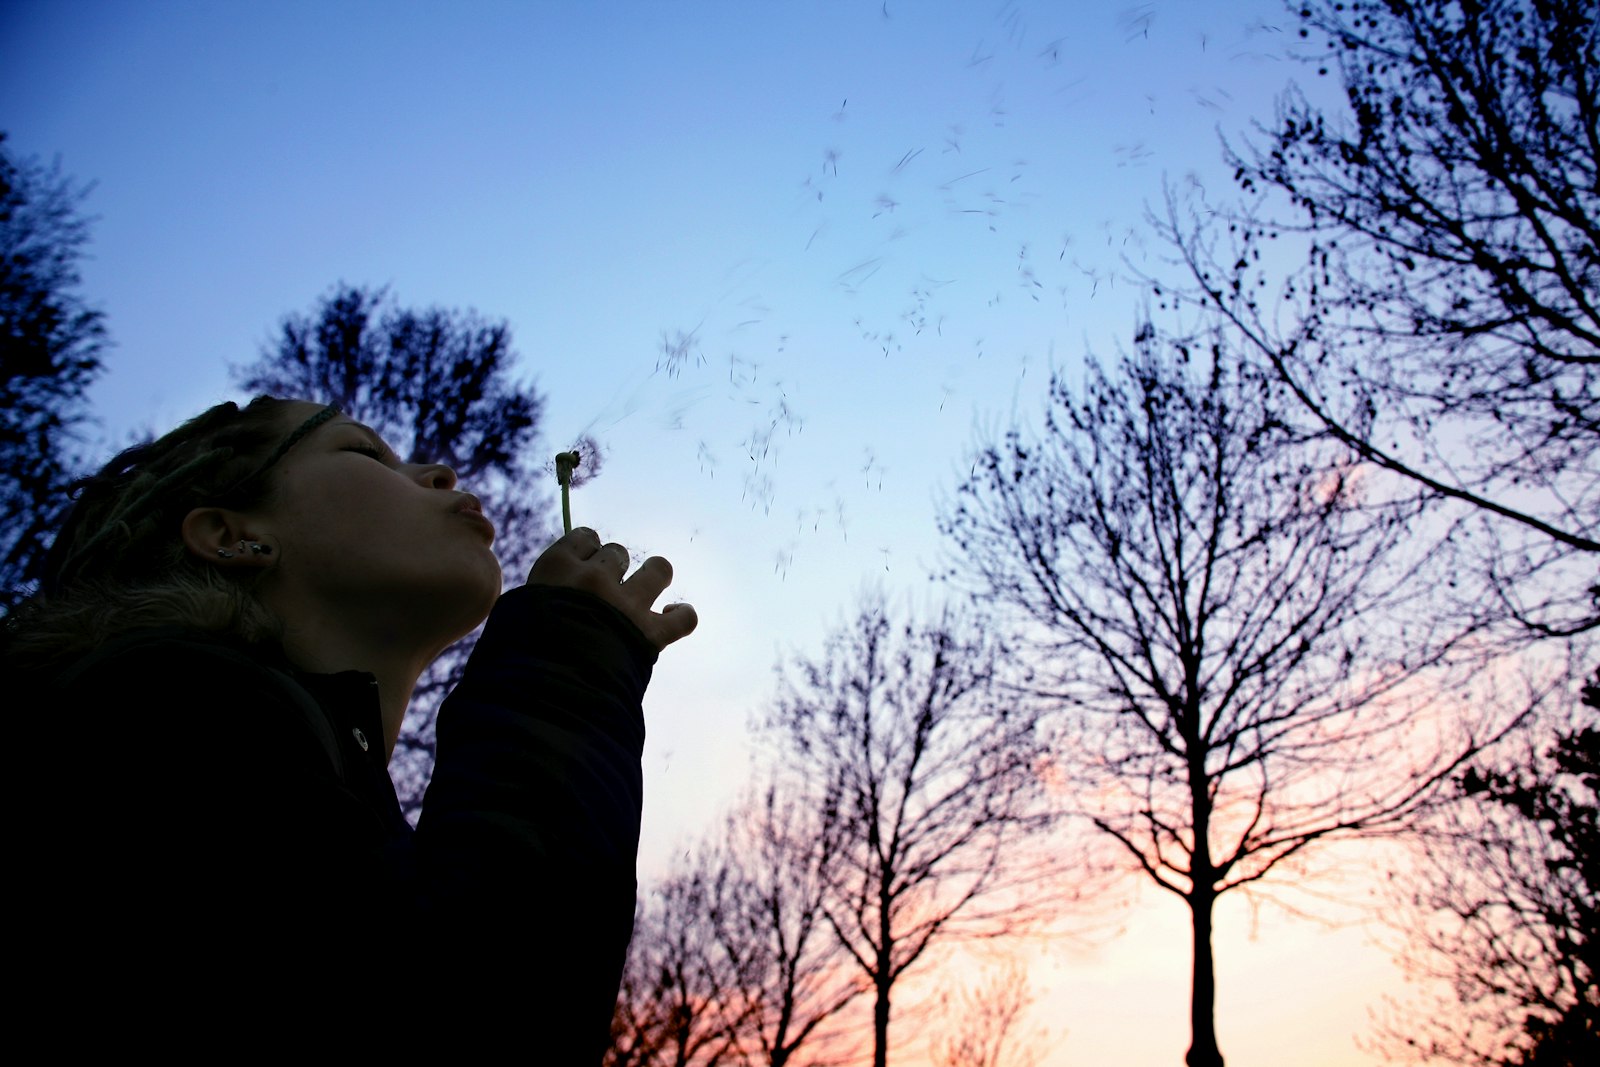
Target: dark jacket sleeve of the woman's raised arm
(530,828)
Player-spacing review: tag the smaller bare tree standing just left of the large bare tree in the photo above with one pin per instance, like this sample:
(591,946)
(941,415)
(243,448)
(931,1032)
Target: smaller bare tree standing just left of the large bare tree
(927,781)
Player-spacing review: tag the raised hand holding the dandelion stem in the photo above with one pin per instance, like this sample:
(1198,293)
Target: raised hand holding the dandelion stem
(580,561)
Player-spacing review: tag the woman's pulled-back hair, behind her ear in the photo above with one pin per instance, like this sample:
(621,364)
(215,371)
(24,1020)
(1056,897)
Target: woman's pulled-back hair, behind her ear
(121,562)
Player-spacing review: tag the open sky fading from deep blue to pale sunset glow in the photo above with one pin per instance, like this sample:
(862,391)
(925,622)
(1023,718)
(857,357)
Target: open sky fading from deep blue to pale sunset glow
(790,263)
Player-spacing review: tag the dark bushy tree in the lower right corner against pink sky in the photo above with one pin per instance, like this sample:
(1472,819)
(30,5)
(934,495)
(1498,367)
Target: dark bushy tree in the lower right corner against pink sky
(1510,893)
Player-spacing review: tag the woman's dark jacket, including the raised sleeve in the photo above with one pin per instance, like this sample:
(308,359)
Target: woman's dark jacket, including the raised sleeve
(207,852)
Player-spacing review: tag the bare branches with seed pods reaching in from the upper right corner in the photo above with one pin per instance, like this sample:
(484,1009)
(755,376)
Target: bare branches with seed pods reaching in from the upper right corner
(1446,324)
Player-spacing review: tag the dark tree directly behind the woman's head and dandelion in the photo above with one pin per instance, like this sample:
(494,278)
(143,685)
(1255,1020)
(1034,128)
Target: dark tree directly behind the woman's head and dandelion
(438,385)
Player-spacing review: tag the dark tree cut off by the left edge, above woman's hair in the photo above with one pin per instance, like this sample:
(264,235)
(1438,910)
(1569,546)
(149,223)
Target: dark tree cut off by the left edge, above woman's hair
(50,348)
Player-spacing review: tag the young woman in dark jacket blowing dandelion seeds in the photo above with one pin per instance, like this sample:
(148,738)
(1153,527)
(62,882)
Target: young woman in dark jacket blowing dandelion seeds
(206,844)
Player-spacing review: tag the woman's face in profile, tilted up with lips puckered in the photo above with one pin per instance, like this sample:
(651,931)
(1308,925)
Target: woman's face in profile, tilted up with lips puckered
(361,533)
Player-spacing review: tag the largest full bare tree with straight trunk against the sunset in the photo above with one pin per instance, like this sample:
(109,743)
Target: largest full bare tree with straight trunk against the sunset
(1217,620)
